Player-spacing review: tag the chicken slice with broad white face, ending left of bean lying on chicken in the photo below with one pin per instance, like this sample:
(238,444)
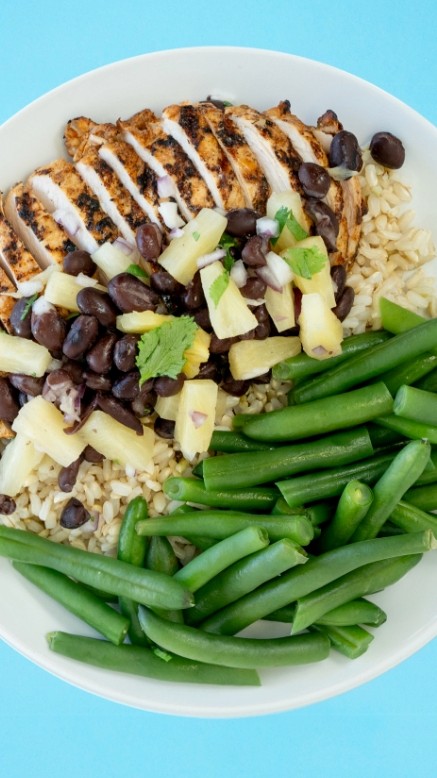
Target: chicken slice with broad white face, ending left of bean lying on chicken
(270,145)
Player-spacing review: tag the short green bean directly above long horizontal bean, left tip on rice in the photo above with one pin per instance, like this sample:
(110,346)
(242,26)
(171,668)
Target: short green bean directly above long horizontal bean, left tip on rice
(193,490)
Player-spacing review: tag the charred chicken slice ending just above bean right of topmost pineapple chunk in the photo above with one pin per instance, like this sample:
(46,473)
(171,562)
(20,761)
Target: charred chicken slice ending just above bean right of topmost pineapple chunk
(187,124)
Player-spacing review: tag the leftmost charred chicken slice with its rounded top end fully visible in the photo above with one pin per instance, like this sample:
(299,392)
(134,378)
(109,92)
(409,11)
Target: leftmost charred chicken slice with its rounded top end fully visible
(44,238)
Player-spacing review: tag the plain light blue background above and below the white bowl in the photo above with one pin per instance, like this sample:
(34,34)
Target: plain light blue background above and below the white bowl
(386,728)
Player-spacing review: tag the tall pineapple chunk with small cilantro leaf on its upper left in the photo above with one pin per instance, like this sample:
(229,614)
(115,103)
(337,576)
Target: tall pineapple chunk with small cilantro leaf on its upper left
(231,316)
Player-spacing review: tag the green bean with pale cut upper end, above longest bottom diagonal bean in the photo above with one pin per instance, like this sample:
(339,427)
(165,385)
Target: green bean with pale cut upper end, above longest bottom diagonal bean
(244,576)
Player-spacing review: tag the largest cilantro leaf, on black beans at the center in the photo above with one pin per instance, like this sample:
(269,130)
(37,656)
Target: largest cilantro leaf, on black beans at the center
(161,350)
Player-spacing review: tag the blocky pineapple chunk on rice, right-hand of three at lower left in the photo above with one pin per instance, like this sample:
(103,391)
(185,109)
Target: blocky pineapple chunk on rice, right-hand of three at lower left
(117,442)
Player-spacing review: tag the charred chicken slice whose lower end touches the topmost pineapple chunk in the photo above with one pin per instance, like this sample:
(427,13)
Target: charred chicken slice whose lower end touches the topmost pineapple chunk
(169,161)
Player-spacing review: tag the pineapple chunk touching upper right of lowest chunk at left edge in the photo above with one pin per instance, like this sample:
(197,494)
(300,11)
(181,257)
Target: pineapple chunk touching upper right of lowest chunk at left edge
(41,421)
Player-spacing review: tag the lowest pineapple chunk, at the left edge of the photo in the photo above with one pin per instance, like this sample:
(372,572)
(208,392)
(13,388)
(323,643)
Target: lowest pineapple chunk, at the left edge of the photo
(19,458)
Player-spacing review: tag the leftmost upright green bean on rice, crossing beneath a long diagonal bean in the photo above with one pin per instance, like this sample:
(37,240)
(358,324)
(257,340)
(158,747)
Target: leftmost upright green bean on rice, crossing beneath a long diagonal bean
(131,548)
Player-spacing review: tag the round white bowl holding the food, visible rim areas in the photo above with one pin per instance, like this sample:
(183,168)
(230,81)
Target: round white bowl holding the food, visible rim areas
(260,78)
